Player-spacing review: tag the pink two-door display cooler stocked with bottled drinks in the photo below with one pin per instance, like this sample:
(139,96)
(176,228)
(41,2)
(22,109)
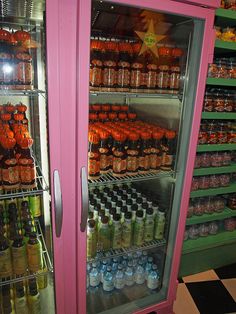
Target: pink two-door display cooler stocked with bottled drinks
(114,106)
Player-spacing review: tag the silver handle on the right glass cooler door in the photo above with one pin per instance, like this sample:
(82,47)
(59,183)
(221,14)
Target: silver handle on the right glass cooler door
(84,198)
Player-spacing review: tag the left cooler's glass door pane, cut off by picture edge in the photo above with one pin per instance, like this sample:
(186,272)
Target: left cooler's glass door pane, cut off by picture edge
(26,265)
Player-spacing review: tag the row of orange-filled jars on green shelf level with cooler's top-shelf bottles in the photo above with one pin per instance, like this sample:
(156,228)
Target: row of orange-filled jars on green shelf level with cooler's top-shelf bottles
(223,68)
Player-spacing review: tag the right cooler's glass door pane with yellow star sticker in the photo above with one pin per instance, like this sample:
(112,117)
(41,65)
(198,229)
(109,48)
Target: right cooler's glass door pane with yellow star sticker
(144,66)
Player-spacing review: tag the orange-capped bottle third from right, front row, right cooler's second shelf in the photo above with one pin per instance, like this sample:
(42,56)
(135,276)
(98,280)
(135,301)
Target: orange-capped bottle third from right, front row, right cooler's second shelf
(145,150)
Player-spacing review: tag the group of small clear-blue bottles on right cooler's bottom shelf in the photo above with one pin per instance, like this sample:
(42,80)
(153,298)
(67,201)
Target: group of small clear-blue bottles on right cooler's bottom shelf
(125,271)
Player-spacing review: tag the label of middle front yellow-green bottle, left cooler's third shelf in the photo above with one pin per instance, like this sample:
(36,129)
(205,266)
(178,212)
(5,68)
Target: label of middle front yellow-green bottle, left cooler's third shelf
(19,260)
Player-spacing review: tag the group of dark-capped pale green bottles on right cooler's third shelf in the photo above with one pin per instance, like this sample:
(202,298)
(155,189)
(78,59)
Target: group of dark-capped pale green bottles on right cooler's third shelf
(122,217)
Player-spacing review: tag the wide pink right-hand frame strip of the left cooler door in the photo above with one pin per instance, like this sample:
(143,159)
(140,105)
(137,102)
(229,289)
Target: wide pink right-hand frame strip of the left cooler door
(61,78)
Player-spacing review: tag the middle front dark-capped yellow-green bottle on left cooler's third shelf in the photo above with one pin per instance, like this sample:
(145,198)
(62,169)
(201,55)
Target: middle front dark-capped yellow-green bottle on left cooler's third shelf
(19,257)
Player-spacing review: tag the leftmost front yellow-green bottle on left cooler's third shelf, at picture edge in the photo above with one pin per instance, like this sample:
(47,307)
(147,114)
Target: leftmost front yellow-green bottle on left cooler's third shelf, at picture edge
(5,258)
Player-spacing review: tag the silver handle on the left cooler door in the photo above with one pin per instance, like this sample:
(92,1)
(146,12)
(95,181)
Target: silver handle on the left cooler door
(58,203)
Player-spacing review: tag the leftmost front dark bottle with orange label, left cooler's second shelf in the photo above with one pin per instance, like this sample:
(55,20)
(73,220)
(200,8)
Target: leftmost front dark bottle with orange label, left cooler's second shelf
(10,172)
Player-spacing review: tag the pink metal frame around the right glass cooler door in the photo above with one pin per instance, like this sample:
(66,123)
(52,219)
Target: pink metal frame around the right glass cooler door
(83,33)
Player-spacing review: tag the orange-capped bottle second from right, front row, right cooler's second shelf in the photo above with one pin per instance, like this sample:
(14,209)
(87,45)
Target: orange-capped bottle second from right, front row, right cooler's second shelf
(156,153)
